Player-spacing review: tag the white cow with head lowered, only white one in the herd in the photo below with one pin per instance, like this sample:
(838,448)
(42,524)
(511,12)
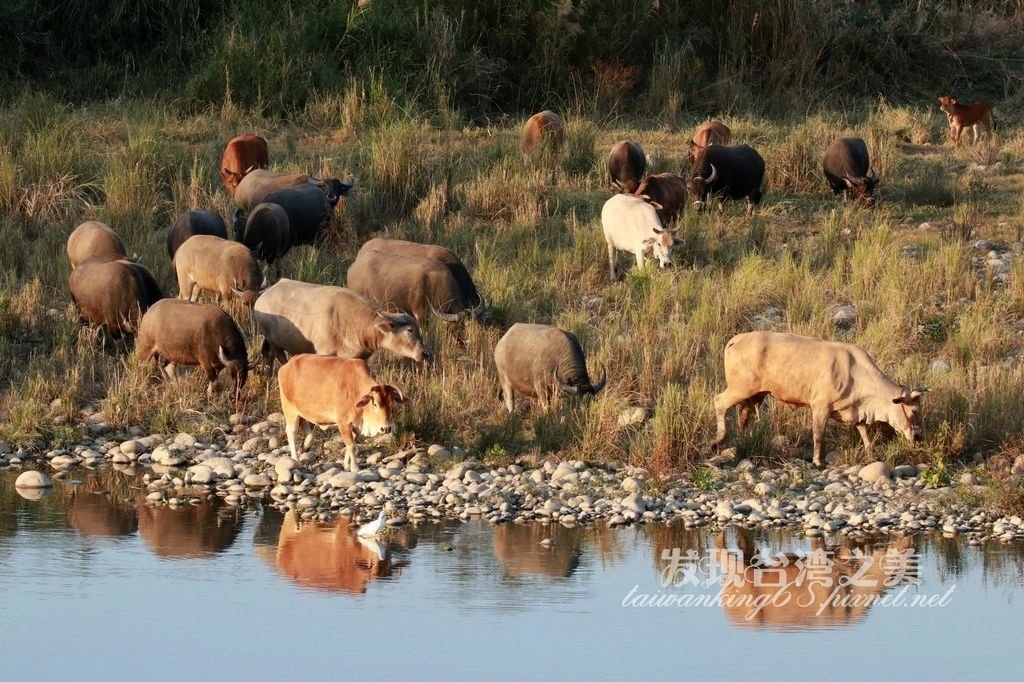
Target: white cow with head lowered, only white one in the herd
(632,225)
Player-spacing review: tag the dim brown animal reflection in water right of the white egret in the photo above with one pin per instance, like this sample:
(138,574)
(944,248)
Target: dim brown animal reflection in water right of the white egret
(520,550)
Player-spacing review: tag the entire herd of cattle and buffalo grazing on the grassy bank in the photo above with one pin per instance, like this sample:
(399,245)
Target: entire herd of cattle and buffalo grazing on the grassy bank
(323,335)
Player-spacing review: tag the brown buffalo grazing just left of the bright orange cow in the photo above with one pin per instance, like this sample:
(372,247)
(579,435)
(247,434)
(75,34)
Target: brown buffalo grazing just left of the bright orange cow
(175,332)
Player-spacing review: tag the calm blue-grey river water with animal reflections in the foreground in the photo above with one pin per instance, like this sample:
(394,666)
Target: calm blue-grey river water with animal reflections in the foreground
(95,584)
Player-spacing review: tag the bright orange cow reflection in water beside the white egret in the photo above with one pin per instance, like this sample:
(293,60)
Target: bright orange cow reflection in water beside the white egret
(328,558)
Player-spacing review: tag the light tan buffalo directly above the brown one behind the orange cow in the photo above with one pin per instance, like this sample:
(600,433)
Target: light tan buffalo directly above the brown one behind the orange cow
(215,265)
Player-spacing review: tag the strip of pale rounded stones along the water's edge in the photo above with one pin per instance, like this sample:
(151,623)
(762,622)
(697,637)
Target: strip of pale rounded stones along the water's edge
(249,462)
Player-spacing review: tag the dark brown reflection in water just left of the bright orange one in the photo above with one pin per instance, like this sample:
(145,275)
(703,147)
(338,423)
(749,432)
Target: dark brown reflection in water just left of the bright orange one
(203,531)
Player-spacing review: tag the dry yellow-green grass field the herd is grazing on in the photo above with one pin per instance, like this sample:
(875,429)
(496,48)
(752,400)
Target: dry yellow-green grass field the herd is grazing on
(532,236)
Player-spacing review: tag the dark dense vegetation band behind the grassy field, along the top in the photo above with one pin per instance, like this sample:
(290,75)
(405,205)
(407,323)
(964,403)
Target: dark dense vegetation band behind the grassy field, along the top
(490,57)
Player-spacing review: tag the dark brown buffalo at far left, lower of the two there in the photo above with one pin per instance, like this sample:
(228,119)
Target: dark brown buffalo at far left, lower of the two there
(112,294)
